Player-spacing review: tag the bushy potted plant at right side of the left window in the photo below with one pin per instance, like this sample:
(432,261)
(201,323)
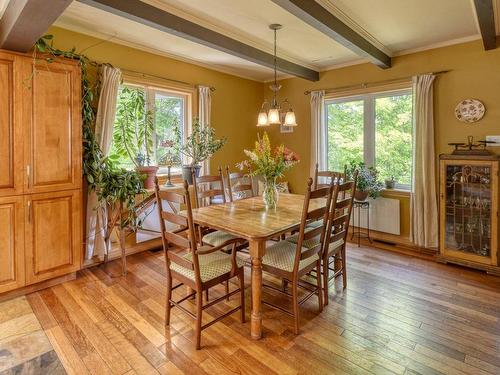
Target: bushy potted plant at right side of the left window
(198,147)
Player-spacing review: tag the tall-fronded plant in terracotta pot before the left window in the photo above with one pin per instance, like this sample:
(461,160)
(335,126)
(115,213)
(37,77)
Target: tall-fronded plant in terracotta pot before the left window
(133,132)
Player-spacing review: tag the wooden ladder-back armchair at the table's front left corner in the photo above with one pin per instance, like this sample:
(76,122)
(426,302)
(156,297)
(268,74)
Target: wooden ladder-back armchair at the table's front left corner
(199,268)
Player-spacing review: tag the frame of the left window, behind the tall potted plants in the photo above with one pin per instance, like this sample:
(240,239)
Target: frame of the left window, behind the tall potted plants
(151,87)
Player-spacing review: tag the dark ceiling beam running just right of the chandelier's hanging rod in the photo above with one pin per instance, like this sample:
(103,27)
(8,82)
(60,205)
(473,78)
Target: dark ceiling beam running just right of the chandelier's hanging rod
(321,19)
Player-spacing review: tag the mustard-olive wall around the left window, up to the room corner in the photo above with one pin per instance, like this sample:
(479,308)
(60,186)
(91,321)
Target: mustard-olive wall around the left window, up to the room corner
(234,103)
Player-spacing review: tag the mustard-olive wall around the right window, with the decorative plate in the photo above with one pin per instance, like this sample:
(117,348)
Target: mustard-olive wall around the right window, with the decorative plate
(474,73)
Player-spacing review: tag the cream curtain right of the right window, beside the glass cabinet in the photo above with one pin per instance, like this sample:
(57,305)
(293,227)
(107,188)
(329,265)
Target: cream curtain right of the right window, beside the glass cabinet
(424,211)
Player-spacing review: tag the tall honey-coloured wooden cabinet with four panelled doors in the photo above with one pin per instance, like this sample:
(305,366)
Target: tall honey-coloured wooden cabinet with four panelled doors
(40,170)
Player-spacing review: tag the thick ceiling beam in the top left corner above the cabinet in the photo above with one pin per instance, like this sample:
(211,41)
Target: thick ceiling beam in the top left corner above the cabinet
(25,21)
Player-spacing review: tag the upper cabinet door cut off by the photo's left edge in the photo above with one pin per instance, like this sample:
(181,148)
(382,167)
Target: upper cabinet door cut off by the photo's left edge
(11,149)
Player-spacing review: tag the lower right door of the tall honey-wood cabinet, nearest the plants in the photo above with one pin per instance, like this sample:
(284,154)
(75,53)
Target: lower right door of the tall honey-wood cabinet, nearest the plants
(53,235)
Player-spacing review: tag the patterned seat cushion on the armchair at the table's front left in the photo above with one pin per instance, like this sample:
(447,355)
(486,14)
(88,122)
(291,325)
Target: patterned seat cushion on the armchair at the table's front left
(212,265)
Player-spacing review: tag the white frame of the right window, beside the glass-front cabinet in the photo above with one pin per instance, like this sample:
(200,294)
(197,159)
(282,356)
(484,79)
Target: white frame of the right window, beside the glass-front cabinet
(369,125)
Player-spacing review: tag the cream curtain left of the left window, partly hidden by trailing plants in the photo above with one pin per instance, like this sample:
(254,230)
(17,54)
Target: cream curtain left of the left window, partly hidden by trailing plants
(105,118)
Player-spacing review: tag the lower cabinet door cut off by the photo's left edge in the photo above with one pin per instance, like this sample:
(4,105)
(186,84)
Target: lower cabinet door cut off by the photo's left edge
(11,243)
